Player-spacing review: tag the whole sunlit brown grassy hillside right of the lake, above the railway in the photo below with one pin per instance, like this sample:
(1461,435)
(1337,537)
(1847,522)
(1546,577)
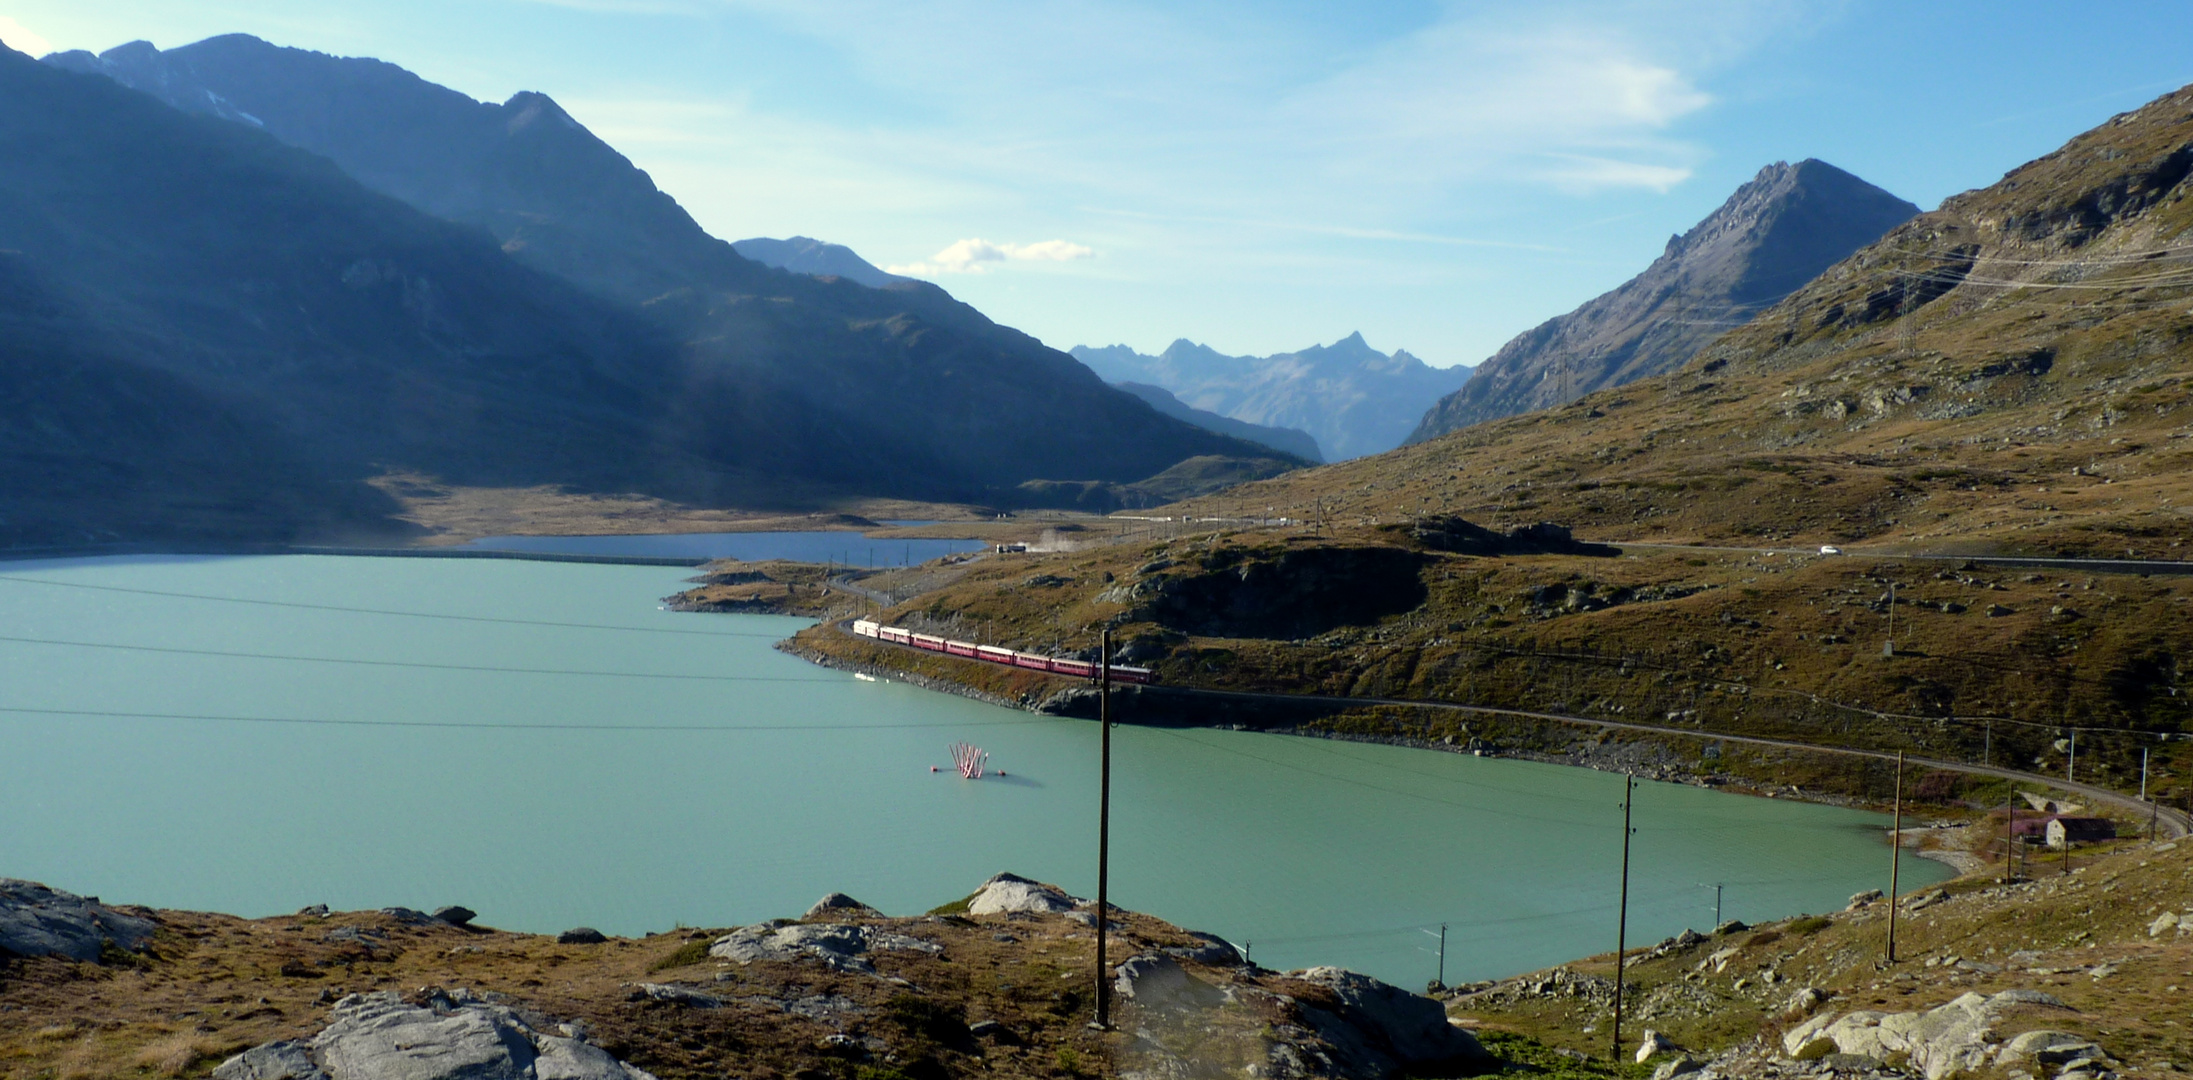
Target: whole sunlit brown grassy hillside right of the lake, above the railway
(2001,376)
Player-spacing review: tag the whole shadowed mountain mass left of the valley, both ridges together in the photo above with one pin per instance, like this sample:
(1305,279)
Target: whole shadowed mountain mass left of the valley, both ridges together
(503,302)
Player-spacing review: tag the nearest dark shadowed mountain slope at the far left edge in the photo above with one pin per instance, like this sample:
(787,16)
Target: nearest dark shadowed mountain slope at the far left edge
(207,322)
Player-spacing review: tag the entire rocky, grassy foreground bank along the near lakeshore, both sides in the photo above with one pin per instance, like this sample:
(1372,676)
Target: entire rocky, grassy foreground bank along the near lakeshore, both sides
(2076,971)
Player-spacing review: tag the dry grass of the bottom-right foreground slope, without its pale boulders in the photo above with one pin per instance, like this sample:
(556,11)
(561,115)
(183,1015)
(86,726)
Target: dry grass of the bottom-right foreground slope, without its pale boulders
(2047,936)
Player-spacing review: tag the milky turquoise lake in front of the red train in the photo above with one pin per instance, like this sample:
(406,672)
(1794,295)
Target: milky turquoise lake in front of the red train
(547,745)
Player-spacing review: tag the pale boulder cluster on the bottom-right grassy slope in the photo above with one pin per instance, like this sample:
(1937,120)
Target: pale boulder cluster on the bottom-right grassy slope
(1944,1042)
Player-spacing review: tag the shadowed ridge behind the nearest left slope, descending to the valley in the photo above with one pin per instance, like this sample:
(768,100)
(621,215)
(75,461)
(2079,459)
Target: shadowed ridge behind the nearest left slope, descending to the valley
(894,392)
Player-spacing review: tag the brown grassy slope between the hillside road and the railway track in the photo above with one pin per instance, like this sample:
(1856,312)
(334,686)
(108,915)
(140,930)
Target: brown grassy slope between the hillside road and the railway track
(1714,642)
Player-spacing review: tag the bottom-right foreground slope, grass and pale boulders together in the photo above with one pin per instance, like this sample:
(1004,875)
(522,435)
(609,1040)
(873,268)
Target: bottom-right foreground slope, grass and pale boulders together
(2073,971)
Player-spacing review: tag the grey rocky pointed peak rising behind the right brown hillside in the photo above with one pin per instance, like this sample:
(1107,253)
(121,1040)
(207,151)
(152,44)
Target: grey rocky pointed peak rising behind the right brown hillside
(1773,236)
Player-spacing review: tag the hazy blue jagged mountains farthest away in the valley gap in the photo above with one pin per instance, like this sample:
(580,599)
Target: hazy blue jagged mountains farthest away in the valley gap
(1350,396)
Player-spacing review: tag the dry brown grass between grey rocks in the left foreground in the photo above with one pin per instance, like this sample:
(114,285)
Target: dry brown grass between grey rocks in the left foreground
(220,985)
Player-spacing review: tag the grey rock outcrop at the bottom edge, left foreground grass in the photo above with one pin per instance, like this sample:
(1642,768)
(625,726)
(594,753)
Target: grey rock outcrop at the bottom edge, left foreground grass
(453,1035)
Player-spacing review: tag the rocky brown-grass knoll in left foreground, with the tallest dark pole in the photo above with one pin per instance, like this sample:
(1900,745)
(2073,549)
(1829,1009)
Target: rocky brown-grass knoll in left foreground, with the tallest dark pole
(997,985)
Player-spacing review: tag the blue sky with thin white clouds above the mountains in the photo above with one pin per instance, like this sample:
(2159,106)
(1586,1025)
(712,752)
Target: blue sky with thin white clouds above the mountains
(1253,177)
